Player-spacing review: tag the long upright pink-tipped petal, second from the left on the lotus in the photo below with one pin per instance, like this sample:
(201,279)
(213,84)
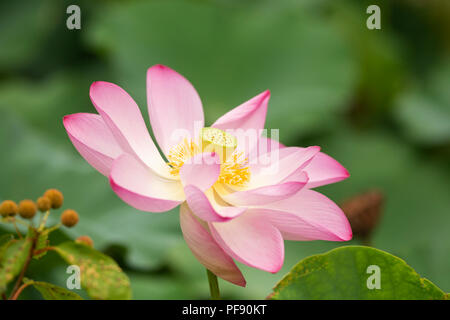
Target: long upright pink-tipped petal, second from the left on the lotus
(123,117)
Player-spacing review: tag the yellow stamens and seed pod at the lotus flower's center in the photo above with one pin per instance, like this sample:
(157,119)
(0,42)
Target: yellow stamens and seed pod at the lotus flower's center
(234,169)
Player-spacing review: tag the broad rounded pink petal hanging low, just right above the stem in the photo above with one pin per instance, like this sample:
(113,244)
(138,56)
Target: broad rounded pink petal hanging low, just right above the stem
(251,240)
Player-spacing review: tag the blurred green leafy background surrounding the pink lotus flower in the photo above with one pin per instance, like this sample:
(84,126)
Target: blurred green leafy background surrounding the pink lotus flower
(376,100)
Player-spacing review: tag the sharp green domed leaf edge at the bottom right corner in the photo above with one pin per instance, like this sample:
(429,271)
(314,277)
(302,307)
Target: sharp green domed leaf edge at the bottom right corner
(349,273)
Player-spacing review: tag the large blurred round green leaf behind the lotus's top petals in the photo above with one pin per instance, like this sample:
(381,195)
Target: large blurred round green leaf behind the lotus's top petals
(231,55)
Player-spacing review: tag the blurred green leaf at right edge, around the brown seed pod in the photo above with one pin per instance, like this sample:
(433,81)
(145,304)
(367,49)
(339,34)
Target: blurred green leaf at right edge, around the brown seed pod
(415,191)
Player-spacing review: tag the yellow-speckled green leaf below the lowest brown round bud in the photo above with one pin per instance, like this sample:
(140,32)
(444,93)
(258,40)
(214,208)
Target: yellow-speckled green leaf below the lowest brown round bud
(101,277)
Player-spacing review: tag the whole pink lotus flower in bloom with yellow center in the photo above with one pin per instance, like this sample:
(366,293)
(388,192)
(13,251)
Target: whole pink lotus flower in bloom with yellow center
(234,204)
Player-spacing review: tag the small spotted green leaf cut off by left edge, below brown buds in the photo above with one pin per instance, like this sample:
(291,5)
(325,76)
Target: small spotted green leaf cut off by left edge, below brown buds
(12,260)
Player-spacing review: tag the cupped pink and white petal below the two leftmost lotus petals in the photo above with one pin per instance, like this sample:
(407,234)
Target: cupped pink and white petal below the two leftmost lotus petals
(142,188)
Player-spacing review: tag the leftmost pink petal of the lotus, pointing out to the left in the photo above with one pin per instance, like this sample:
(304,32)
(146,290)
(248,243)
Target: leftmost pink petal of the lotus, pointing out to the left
(93,140)
